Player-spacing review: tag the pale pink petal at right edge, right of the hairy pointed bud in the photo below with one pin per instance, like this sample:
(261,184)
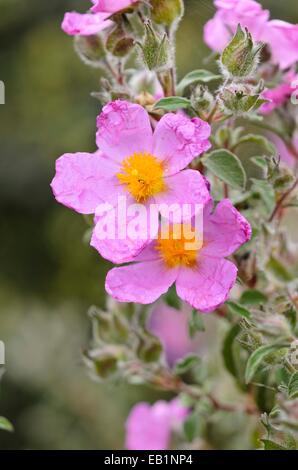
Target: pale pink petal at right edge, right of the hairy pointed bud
(283,39)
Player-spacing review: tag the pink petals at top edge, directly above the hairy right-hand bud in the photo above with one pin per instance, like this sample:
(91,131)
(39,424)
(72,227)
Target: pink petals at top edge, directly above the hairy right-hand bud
(219,30)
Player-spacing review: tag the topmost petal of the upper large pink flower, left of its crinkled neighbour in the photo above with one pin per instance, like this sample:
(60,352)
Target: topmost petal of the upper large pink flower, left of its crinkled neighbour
(123,129)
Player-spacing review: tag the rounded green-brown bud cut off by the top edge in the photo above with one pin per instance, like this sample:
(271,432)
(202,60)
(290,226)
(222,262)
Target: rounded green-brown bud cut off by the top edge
(166,11)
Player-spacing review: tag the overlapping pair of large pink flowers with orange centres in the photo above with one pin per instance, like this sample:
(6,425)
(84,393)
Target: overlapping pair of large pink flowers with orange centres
(149,167)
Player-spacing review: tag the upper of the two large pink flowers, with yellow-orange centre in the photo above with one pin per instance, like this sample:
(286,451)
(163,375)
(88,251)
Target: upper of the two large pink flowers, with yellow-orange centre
(138,164)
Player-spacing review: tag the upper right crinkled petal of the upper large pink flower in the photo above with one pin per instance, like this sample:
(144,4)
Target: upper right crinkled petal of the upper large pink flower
(179,139)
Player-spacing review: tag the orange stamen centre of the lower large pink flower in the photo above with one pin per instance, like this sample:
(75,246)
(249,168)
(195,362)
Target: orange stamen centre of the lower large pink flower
(179,246)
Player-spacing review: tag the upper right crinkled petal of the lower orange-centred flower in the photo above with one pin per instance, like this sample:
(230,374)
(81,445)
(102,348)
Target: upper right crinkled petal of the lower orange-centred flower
(224,231)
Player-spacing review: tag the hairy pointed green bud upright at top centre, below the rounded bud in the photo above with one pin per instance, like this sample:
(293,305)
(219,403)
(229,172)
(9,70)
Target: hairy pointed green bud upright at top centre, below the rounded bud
(155,49)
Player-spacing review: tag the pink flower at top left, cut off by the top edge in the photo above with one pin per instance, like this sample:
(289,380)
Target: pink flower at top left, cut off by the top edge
(87,24)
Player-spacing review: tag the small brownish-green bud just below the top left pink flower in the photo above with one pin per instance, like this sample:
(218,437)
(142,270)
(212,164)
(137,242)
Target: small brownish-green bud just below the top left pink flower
(90,49)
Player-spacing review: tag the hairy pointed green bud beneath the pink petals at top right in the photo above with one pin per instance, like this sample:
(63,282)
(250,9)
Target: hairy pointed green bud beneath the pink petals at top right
(241,56)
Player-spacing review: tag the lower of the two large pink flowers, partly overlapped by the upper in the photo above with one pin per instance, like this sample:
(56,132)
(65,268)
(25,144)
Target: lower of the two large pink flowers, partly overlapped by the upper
(202,275)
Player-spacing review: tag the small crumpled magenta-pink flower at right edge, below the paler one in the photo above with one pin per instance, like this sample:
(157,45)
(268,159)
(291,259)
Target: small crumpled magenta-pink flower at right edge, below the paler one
(279,95)
